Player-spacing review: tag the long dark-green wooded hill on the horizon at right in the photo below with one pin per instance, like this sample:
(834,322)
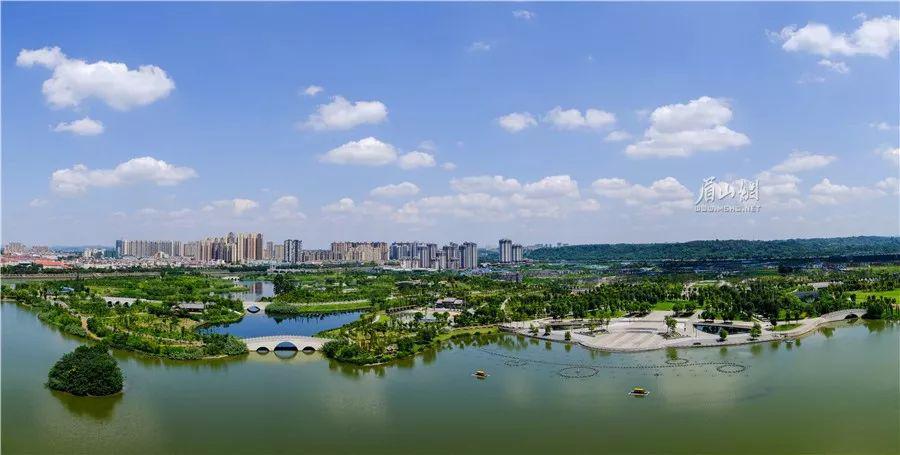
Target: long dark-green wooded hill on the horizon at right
(723,249)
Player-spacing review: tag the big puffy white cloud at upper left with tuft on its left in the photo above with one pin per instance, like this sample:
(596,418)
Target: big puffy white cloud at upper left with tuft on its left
(75,80)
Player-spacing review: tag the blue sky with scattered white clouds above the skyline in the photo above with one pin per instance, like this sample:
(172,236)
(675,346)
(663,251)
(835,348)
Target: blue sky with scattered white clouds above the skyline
(234,143)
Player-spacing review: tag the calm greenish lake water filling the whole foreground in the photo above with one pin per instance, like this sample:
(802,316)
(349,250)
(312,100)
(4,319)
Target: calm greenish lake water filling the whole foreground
(836,391)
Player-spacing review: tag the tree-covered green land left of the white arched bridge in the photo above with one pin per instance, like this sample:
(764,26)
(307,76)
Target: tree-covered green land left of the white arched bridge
(154,327)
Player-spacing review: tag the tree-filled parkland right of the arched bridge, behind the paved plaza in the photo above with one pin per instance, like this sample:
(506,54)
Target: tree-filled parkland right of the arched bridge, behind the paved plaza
(380,337)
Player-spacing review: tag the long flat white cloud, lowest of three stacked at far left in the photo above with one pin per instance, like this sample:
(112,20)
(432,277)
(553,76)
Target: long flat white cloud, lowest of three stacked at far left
(78,178)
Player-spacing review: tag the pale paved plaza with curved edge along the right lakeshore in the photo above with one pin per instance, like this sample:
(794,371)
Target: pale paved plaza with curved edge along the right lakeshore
(651,333)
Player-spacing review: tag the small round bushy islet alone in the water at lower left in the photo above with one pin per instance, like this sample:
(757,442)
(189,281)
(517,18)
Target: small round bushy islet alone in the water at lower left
(87,371)
